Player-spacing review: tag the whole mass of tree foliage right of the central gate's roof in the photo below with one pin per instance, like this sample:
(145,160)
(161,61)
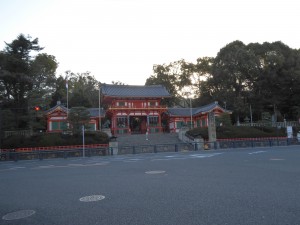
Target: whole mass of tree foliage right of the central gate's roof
(254,78)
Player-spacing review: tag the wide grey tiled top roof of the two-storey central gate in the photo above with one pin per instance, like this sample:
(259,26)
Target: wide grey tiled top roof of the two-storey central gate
(134,91)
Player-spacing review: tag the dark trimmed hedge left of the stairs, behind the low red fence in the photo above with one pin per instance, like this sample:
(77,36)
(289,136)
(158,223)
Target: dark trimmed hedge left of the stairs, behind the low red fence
(54,139)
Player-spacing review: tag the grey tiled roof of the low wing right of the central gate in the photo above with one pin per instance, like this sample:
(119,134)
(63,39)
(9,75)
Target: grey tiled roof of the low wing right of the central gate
(187,112)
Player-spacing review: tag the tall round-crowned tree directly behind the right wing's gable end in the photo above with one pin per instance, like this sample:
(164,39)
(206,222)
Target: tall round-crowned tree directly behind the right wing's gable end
(233,73)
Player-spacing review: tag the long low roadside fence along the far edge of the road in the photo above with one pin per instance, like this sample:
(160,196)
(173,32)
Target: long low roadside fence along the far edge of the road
(104,150)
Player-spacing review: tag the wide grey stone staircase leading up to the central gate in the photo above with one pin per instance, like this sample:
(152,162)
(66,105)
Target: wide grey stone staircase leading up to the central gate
(153,139)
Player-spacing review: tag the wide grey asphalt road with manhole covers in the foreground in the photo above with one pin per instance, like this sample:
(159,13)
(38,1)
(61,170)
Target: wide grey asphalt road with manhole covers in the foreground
(234,187)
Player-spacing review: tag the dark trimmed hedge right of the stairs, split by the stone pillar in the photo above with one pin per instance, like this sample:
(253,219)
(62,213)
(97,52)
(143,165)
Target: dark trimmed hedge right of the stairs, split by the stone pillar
(224,132)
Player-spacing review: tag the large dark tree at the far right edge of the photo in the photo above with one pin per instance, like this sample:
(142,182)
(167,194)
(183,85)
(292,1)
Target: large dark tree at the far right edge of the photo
(277,86)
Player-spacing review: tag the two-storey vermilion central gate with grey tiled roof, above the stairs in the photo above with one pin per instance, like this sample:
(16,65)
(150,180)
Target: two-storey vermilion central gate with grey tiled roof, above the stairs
(134,109)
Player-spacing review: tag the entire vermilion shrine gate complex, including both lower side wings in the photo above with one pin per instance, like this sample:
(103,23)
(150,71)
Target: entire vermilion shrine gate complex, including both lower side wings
(134,109)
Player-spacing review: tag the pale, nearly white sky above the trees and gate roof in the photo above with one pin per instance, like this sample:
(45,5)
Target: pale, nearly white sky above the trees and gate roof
(121,40)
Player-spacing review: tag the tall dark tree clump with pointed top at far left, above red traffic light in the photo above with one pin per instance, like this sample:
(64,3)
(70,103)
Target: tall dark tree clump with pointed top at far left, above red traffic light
(25,78)
